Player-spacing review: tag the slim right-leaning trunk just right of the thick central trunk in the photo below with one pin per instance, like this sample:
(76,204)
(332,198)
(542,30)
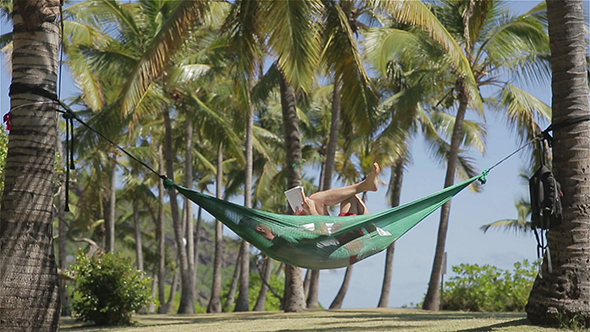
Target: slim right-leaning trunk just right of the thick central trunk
(326,182)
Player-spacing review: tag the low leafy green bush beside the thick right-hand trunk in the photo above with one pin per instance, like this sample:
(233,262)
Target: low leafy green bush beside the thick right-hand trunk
(487,288)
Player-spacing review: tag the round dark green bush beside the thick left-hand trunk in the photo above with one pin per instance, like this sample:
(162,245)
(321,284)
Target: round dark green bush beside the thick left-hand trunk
(108,289)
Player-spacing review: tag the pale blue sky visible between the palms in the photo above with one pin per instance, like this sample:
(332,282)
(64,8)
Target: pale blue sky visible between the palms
(414,252)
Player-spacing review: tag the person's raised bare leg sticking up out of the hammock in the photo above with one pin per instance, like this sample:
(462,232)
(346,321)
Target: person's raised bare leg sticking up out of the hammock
(335,196)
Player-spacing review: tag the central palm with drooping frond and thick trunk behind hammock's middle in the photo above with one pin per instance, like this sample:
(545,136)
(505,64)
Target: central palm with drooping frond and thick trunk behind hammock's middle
(295,39)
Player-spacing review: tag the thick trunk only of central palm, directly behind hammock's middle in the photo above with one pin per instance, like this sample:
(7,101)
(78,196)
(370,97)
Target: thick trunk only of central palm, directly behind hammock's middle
(294,299)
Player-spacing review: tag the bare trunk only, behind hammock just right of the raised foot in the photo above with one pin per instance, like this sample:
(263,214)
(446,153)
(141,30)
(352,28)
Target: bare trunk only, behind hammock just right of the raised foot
(397,174)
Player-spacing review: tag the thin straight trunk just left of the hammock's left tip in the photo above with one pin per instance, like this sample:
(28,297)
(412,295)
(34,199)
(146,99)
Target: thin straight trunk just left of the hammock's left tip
(161,237)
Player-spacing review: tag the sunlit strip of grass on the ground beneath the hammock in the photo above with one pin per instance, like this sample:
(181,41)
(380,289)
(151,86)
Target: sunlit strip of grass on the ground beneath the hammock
(365,320)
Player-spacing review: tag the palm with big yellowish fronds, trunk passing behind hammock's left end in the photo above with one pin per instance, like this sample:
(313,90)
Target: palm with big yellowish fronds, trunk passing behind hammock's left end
(149,59)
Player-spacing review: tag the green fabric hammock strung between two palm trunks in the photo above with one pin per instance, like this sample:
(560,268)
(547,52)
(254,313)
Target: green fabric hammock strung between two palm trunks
(318,241)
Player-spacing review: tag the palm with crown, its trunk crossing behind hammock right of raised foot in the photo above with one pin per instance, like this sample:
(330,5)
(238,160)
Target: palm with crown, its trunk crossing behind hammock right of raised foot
(409,109)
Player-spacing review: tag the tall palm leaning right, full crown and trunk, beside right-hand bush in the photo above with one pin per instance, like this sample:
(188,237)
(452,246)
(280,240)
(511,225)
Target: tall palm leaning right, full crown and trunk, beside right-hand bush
(483,29)
